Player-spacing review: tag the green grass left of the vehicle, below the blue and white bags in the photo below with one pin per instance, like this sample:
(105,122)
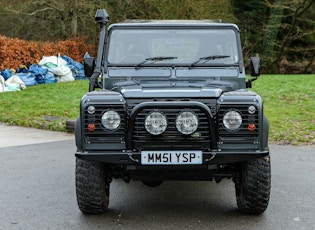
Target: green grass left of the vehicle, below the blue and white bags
(46,106)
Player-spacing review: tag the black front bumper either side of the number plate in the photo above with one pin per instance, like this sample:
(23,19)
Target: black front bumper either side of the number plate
(134,158)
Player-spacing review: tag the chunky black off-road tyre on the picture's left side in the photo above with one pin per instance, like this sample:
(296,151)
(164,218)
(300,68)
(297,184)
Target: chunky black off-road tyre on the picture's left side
(92,187)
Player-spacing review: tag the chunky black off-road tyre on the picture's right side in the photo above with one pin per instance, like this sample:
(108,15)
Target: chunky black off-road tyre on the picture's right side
(253,186)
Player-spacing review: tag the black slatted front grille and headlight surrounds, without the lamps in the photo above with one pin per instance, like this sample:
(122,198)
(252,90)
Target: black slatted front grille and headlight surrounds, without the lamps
(171,139)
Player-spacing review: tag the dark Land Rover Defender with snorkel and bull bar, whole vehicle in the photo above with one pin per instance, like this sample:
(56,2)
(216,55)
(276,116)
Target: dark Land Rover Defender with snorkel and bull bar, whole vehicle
(172,105)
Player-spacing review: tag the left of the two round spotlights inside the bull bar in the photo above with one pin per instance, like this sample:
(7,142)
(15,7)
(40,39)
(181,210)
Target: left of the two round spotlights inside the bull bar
(155,123)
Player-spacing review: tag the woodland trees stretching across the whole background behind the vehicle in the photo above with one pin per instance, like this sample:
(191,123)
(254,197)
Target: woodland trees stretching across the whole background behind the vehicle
(278,30)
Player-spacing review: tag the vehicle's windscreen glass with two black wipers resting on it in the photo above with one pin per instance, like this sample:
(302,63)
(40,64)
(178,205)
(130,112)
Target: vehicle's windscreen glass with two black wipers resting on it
(174,47)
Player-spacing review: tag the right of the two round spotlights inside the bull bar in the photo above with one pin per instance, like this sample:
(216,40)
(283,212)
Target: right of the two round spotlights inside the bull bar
(187,122)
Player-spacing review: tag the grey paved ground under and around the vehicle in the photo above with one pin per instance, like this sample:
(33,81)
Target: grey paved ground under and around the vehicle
(37,191)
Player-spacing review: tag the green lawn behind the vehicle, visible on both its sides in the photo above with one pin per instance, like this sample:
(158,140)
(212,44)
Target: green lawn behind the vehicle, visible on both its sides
(289,105)
